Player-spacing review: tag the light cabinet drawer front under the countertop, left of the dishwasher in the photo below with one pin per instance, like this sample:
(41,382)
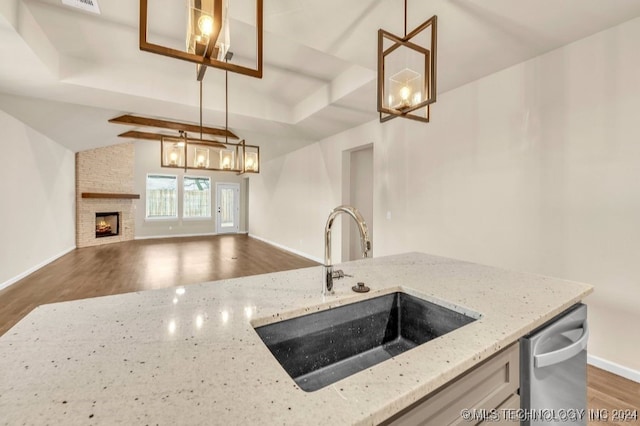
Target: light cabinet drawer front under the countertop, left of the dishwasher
(485,387)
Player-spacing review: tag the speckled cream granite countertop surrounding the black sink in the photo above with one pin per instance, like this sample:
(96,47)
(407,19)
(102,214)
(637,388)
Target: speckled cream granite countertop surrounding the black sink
(190,355)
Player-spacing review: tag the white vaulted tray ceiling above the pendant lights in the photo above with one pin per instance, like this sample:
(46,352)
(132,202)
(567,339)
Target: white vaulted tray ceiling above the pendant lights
(65,72)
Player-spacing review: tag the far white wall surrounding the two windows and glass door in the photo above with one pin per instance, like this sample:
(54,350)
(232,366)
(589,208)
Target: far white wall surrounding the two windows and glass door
(147,160)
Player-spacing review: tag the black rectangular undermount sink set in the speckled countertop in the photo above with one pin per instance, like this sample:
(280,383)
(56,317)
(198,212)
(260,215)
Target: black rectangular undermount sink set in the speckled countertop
(321,348)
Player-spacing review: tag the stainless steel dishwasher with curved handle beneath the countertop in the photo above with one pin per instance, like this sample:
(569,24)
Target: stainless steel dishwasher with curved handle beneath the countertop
(553,371)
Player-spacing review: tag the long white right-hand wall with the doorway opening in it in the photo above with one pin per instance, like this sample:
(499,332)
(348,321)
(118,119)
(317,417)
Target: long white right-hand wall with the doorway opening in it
(534,168)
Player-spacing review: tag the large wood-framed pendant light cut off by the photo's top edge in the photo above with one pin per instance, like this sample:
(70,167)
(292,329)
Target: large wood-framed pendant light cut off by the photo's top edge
(207,36)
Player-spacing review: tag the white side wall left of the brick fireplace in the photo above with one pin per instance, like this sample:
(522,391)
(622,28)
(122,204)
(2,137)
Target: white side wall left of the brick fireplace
(37,183)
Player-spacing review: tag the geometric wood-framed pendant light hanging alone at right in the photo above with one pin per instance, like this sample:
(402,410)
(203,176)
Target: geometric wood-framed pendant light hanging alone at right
(407,71)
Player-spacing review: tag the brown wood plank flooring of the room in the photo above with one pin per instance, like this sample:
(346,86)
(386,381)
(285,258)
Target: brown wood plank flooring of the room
(149,264)
